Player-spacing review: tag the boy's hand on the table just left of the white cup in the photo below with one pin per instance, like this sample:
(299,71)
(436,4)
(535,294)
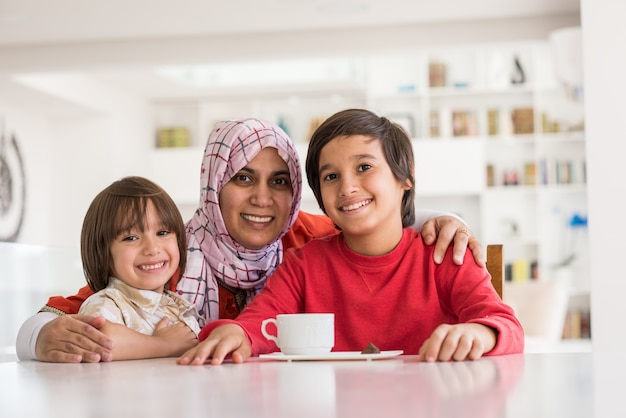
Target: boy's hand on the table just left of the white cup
(223,340)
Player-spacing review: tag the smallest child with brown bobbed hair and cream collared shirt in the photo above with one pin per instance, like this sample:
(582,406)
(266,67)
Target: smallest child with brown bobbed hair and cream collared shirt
(132,243)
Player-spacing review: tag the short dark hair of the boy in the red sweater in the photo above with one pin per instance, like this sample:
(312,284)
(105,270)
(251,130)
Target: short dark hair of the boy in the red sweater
(395,142)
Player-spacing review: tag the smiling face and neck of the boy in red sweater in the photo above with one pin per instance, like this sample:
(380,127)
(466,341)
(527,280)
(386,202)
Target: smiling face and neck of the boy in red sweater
(360,193)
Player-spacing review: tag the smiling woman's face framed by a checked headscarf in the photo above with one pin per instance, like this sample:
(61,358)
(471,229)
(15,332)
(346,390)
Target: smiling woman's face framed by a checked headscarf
(256,202)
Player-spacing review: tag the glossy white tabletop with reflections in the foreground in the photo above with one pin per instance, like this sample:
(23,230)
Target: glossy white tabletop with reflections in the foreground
(523,385)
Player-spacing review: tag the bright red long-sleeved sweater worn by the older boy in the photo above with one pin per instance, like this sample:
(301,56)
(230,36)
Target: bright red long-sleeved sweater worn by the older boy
(395,300)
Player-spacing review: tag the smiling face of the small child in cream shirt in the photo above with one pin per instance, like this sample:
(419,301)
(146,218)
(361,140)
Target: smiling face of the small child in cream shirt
(146,260)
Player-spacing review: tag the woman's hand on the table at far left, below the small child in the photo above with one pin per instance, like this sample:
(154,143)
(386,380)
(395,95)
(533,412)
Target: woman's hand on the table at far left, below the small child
(74,339)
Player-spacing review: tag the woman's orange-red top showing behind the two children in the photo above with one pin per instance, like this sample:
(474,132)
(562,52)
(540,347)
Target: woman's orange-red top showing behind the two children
(306,227)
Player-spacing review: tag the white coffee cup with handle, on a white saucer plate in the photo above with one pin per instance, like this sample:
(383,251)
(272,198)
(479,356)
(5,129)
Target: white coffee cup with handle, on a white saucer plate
(307,333)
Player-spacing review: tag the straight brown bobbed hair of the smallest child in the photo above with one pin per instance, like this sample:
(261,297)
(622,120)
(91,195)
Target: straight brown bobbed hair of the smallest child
(115,210)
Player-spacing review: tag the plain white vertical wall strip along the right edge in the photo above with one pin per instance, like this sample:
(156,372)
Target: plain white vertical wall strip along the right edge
(604,37)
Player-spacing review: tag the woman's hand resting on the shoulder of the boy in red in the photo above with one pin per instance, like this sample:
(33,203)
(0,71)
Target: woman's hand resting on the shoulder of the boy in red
(446,230)
